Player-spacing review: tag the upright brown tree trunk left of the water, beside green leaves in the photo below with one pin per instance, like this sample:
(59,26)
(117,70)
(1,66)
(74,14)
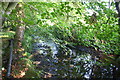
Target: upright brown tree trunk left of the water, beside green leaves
(19,31)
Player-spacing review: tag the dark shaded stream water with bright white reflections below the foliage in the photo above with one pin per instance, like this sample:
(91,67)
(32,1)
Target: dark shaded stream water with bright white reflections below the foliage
(58,61)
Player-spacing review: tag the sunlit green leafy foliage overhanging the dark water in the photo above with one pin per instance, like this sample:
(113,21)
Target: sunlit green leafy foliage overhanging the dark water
(69,21)
